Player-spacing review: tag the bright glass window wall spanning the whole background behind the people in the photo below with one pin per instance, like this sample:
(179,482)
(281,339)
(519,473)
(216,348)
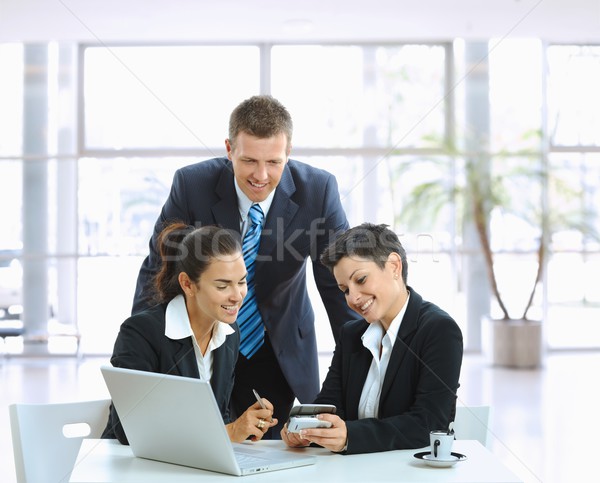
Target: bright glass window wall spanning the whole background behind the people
(386,120)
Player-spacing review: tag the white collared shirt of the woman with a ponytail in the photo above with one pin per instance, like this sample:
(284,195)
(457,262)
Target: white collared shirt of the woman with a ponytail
(177,326)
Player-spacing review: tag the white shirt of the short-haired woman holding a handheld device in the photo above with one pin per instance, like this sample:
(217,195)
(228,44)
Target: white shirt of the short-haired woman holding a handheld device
(378,342)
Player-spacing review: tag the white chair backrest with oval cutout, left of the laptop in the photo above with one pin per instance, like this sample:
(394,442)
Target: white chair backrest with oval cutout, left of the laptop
(46,437)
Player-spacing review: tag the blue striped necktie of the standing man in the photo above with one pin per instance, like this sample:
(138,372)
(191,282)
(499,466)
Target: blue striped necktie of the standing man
(252,332)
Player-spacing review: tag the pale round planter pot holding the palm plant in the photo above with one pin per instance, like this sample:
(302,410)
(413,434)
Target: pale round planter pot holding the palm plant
(516,343)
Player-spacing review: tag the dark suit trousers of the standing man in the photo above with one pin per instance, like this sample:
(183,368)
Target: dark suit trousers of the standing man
(262,372)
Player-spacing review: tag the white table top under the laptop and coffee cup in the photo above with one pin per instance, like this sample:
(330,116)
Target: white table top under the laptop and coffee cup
(108,461)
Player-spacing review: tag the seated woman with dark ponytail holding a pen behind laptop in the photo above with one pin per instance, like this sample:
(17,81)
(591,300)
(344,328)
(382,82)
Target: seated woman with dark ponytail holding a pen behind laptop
(198,292)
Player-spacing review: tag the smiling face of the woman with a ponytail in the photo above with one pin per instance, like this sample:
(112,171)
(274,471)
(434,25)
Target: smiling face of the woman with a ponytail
(219,293)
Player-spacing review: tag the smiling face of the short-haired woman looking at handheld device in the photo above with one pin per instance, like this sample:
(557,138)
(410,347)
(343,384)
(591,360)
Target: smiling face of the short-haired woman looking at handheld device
(372,292)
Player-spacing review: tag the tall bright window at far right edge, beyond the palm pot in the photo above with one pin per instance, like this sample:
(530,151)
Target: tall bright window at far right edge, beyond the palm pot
(574,197)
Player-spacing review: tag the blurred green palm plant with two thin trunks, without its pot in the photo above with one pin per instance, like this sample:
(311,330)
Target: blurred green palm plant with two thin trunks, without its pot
(502,184)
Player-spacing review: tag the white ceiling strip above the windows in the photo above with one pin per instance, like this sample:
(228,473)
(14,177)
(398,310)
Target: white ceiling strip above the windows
(296,20)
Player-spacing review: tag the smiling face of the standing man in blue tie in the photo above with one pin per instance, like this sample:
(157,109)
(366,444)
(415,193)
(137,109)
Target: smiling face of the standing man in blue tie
(258,163)
